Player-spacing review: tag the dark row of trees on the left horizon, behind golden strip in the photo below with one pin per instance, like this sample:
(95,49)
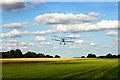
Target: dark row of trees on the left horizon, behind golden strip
(18,54)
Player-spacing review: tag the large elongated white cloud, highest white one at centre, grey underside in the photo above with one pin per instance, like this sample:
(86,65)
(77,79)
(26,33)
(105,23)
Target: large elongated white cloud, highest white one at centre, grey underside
(60,18)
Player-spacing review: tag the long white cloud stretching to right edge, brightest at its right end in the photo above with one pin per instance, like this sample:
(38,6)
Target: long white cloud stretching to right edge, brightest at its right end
(104,24)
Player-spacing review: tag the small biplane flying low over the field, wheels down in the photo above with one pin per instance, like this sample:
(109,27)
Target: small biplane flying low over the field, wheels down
(63,39)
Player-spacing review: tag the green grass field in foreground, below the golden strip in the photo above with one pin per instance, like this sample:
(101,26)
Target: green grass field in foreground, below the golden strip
(80,68)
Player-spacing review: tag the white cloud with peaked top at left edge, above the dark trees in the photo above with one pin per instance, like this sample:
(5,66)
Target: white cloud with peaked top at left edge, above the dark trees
(14,33)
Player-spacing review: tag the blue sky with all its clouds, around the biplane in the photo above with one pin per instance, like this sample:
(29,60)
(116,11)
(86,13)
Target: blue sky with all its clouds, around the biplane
(30,26)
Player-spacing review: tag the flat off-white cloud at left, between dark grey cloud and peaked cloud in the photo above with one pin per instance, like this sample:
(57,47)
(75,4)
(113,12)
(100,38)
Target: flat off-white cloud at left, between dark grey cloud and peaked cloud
(15,25)
